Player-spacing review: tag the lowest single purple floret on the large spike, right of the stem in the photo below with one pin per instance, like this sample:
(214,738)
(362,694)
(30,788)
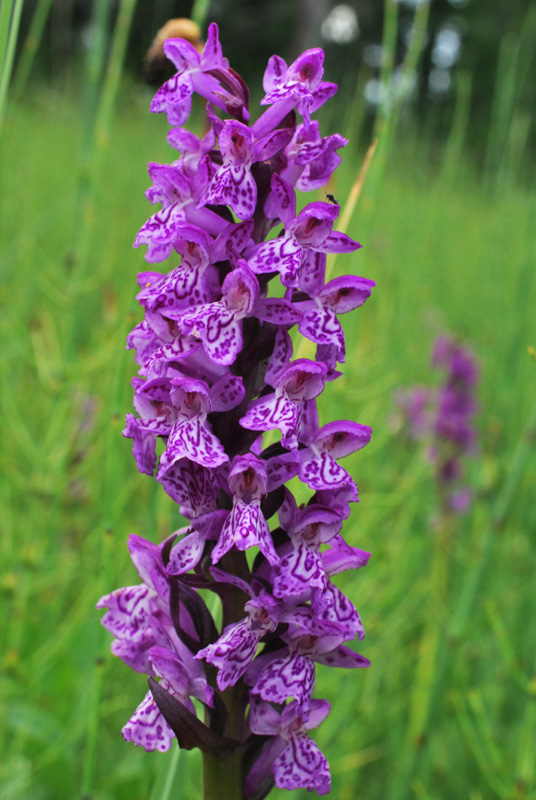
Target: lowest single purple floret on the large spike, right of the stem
(290,754)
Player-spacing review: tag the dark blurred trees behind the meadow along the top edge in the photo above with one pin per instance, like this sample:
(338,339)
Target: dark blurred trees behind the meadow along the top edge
(497,43)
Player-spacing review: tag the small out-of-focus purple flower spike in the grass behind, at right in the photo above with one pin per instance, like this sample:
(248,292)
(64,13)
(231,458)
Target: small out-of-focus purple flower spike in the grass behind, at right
(445,416)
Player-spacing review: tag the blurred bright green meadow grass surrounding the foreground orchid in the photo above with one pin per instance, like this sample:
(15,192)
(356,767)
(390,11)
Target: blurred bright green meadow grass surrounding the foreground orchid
(447,709)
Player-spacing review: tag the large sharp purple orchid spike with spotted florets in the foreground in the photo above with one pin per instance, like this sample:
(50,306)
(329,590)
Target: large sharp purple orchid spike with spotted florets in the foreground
(216,377)
